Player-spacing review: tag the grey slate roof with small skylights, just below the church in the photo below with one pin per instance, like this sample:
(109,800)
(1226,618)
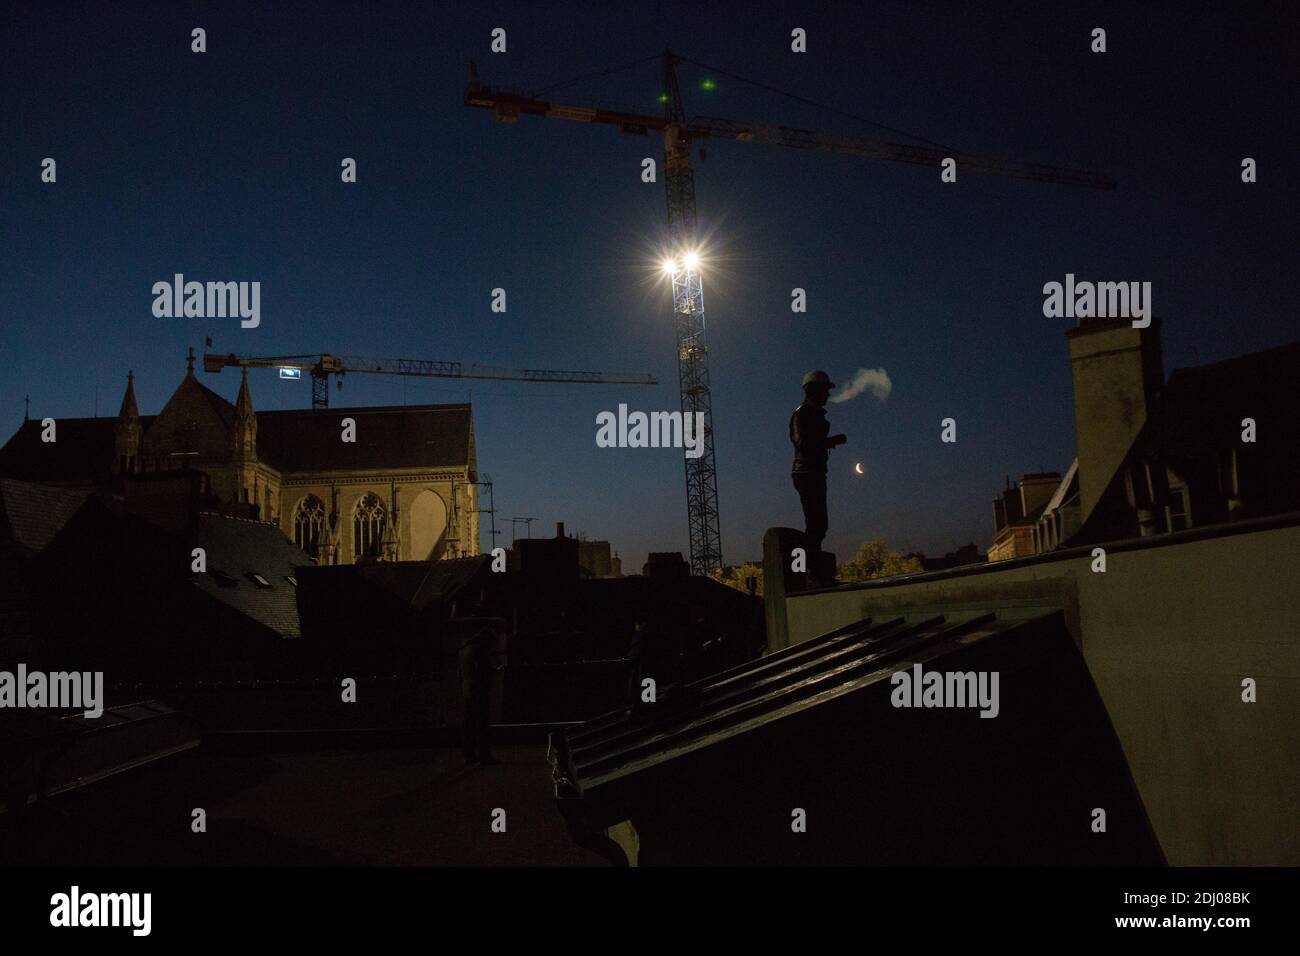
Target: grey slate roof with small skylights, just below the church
(236,548)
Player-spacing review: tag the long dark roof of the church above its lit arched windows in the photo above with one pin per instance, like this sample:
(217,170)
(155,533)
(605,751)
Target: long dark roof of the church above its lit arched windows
(401,436)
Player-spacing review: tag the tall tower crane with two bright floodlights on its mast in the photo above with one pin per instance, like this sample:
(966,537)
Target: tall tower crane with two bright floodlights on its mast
(683,266)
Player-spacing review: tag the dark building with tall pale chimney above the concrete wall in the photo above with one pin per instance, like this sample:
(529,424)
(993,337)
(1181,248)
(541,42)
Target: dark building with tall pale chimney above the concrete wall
(1214,444)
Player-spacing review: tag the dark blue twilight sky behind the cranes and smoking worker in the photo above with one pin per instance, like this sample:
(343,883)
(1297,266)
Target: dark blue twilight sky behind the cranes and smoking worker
(226,166)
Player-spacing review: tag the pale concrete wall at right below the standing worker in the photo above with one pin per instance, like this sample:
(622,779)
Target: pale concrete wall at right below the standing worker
(1169,633)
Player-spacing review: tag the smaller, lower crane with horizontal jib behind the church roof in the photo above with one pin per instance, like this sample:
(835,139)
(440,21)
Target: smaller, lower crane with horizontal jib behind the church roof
(322,366)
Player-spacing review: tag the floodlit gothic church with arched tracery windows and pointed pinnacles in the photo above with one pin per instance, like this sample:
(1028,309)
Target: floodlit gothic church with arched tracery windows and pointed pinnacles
(402,491)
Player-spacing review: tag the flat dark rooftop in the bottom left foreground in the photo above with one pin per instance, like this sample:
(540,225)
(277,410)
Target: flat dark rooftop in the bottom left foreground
(383,807)
